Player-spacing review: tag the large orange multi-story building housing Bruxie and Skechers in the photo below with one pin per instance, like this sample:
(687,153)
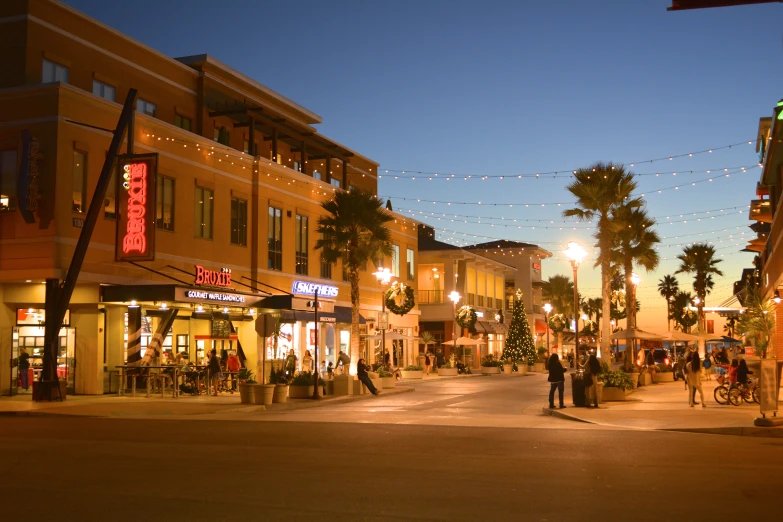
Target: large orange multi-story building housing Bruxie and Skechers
(241,175)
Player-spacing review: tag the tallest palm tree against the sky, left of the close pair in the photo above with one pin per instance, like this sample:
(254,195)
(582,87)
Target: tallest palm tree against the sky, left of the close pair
(600,190)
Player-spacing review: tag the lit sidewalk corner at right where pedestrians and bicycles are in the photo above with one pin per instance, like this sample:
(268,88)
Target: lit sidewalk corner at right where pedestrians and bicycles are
(665,407)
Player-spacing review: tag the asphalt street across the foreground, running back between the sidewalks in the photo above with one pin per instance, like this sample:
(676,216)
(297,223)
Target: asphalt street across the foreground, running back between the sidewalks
(385,458)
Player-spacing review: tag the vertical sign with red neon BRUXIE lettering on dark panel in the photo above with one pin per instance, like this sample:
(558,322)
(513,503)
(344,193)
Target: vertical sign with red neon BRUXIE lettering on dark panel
(136,186)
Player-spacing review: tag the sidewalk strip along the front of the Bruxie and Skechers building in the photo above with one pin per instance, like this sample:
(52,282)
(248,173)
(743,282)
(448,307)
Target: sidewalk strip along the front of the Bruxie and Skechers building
(158,407)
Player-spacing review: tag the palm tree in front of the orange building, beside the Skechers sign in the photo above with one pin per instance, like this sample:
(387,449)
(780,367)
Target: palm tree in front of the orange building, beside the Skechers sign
(354,231)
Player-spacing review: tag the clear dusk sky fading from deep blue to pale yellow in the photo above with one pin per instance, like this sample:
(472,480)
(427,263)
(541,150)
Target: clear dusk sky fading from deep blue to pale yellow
(510,88)
